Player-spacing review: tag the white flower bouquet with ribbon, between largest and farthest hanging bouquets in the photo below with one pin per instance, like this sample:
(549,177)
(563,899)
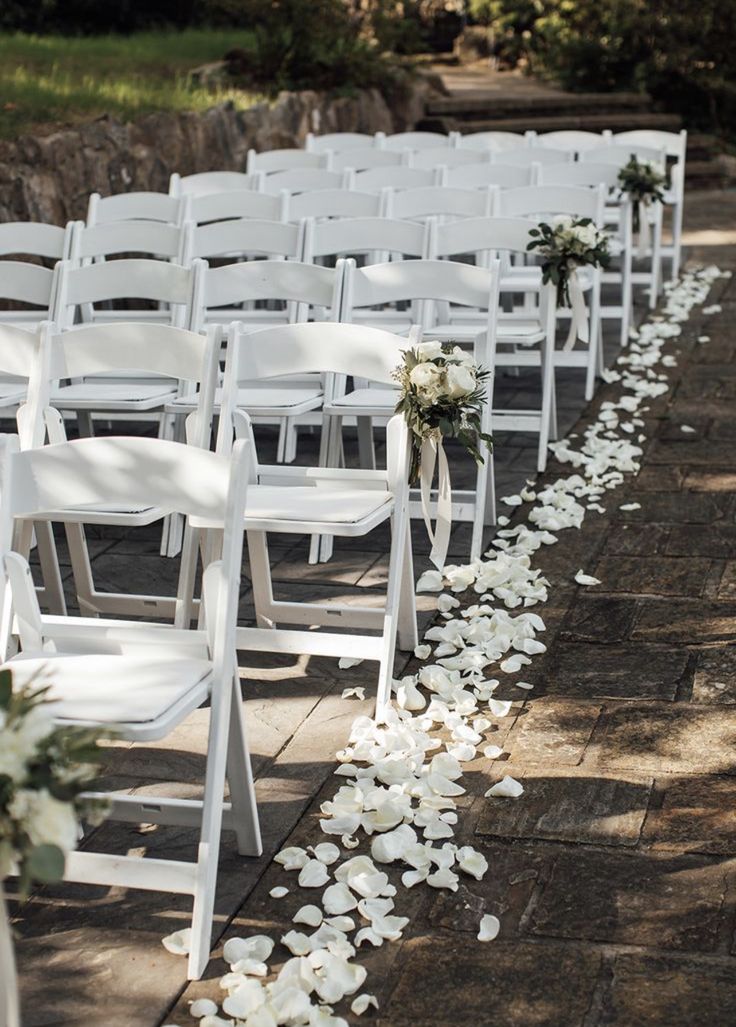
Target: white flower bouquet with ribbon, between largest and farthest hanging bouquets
(565,246)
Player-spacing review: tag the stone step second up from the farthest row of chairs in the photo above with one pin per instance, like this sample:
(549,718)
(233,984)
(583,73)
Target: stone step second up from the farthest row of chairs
(467,103)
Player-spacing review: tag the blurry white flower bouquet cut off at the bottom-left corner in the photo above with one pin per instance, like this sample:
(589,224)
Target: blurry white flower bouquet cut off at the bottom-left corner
(44,771)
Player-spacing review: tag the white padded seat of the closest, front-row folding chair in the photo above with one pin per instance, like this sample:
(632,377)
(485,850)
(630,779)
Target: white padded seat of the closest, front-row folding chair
(108,691)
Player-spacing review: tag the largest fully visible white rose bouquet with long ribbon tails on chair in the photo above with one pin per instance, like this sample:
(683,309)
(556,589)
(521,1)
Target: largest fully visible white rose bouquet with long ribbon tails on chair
(443,396)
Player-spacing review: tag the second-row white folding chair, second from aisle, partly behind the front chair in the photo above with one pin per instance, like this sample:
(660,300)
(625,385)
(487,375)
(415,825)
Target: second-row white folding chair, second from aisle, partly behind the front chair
(92,356)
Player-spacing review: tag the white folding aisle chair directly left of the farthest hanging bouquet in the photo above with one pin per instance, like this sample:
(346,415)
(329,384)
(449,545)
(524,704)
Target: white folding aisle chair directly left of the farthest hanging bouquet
(617,215)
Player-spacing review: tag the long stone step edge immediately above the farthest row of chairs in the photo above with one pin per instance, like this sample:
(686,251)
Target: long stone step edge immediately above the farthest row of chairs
(614,122)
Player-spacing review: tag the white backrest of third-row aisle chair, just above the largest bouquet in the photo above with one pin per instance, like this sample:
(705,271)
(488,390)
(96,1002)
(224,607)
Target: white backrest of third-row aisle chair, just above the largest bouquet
(430,281)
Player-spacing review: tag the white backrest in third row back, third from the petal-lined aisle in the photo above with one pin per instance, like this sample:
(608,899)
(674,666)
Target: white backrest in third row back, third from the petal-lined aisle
(136,279)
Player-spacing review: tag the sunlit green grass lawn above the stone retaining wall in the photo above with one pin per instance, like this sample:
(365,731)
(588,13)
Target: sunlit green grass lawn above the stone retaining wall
(49,81)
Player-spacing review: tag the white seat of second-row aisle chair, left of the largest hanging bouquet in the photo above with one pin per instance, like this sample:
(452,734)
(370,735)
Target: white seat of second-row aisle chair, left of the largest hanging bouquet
(354,510)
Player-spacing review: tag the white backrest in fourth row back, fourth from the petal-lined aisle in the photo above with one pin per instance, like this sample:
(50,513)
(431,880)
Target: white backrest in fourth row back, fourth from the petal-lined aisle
(165,242)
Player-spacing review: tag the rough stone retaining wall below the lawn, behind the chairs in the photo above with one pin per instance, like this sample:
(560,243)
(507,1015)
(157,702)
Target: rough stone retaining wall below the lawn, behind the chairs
(49,178)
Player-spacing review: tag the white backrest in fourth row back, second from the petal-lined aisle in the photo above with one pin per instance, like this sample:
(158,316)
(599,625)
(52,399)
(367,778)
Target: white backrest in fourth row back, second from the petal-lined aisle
(352,237)
